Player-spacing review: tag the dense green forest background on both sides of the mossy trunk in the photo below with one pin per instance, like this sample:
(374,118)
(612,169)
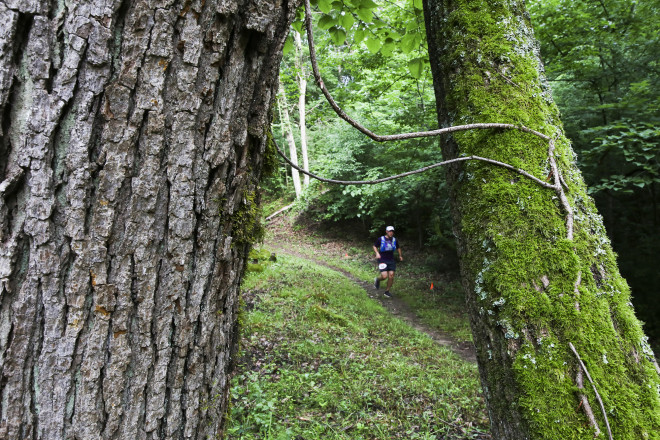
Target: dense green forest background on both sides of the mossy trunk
(601,60)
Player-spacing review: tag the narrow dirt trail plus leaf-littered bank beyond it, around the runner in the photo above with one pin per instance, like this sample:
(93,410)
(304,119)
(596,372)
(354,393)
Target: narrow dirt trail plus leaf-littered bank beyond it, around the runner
(330,247)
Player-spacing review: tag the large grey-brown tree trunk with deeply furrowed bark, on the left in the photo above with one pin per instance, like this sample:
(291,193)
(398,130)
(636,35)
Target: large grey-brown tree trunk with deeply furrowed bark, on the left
(133,135)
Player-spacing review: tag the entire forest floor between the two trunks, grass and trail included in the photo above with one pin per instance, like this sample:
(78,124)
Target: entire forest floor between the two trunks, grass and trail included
(325,356)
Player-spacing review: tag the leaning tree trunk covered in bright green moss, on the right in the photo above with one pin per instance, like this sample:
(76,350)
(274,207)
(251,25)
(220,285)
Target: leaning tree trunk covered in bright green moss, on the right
(531,290)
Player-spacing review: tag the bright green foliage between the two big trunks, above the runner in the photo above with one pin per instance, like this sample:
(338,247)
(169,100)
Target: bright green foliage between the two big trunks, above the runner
(380,74)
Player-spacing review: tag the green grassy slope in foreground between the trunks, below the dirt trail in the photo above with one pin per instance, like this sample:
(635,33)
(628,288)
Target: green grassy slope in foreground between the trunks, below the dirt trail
(321,360)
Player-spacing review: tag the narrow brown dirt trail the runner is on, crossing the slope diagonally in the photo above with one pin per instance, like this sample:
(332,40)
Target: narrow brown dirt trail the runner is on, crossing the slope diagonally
(394,305)
